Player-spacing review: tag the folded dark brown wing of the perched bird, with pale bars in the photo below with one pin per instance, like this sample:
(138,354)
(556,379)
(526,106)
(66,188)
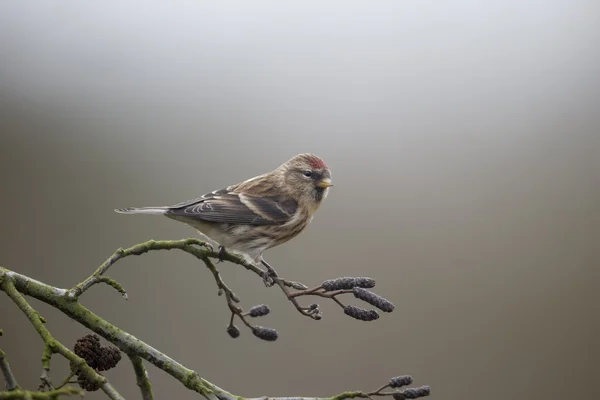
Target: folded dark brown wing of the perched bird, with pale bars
(224,206)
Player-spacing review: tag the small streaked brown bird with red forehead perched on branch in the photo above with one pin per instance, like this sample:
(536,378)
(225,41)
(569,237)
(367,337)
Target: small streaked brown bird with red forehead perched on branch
(259,213)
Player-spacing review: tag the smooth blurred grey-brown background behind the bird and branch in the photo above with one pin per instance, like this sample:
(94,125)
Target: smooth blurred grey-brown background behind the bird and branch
(464,140)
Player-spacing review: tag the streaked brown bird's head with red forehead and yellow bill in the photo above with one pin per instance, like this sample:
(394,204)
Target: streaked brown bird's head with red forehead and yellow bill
(308,179)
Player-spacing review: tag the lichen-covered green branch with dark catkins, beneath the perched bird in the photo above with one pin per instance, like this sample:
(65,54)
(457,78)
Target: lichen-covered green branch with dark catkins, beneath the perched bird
(67,301)
